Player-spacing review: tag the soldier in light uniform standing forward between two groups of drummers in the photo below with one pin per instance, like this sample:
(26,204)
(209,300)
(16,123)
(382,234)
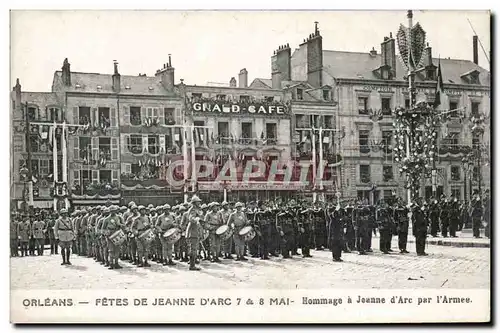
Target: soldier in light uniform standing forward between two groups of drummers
(194,231)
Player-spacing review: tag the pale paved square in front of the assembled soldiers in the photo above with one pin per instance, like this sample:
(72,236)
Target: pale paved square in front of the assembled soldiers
(445,267)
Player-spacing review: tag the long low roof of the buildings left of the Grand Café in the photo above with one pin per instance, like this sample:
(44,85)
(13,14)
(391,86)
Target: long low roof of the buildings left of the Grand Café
(138,85)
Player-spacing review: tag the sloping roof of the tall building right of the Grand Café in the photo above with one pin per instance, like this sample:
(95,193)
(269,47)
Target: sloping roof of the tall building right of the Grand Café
(358,65)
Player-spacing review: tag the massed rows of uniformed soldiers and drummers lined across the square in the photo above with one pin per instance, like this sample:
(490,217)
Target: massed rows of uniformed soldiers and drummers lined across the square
(195,231)
